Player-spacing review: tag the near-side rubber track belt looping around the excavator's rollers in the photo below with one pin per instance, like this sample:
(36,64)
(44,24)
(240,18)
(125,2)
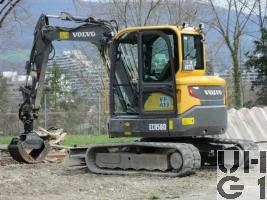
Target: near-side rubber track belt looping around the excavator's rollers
(191,159)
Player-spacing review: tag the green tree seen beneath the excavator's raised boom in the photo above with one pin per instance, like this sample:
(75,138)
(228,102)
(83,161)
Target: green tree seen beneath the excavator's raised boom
(59,94)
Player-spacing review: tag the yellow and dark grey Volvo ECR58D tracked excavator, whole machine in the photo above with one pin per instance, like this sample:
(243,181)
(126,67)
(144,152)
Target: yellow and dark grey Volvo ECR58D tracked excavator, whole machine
(158,91)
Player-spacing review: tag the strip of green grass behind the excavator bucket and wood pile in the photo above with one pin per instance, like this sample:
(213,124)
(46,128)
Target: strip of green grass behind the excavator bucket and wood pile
(80,140)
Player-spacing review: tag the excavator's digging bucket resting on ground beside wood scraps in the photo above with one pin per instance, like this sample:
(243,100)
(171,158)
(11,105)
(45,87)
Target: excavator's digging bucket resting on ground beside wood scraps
(28,148)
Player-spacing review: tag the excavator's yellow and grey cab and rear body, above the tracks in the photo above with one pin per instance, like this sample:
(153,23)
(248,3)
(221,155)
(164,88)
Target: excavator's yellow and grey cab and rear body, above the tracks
(158,86)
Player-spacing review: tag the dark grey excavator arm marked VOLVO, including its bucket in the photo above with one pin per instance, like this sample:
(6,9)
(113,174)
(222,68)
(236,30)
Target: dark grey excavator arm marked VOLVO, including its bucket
(29,147)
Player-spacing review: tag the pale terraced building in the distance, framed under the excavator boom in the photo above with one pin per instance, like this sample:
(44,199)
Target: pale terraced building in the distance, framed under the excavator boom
(85,77)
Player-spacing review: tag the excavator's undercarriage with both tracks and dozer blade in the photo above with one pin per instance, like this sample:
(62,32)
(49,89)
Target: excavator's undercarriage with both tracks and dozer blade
(165,157)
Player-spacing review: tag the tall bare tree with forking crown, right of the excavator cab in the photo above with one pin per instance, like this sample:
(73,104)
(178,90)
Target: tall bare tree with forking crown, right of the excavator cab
(231,27)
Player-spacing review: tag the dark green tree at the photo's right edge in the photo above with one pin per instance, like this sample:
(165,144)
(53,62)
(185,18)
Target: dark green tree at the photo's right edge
(257,60)
